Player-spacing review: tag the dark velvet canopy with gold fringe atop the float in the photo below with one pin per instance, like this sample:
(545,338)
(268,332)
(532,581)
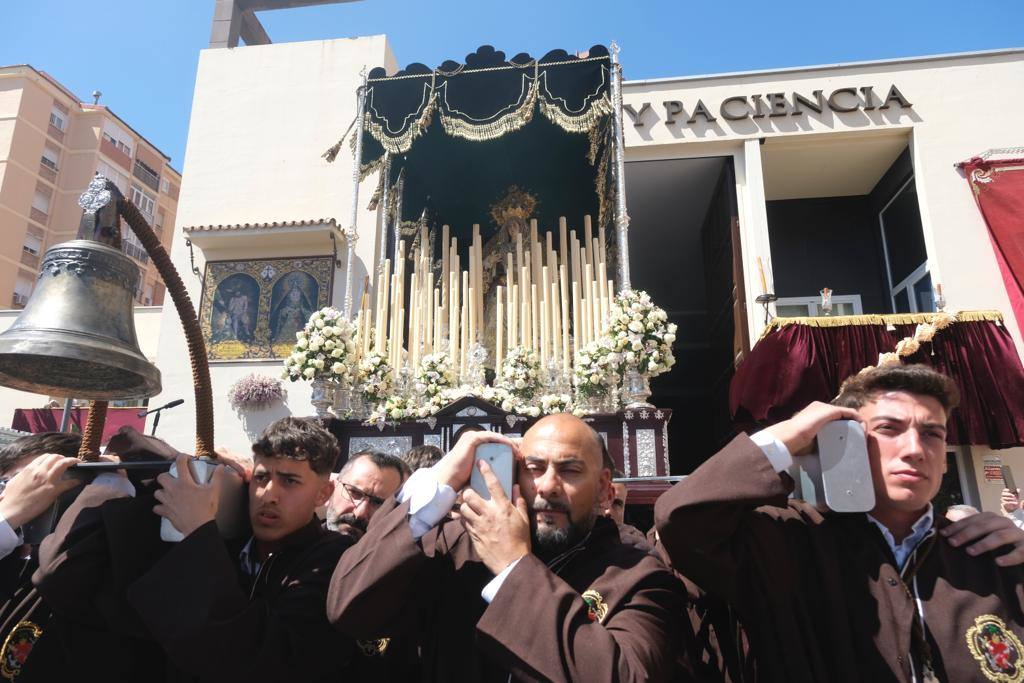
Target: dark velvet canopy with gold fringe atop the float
(462,137)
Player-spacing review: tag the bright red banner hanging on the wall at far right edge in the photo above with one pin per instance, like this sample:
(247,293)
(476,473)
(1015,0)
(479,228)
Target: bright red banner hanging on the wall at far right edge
(999,189)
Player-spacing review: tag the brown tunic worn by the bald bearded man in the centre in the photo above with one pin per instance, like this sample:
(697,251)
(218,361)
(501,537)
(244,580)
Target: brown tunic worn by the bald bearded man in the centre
(539,627)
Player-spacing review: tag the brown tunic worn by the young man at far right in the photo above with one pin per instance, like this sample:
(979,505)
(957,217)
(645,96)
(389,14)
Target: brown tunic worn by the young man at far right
(821,596)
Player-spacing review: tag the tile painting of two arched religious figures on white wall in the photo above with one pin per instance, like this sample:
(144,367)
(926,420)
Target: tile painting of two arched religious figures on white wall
(252,310)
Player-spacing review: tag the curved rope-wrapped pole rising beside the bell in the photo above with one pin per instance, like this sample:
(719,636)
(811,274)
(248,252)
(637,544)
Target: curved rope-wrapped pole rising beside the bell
(187,314)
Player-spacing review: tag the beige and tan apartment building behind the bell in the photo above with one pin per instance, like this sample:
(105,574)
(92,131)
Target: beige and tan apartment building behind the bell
(52,144)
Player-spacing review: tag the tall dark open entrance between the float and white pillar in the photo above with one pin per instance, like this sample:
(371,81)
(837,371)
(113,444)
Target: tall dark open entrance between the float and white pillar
(685,251)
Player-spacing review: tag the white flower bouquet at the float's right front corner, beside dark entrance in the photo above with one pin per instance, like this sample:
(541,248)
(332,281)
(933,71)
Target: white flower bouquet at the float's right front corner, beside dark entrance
(642,332)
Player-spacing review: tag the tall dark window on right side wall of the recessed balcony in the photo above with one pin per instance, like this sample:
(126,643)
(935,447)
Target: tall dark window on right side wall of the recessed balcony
(907,258)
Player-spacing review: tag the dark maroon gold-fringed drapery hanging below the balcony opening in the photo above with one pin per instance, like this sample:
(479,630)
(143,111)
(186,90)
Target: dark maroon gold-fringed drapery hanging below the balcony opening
(802,360)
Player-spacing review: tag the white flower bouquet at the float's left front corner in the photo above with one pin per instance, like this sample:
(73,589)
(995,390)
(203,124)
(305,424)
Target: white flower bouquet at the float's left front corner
(323,349)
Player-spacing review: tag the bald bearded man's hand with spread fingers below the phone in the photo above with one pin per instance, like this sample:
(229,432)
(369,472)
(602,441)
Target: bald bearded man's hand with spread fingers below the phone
(499,528)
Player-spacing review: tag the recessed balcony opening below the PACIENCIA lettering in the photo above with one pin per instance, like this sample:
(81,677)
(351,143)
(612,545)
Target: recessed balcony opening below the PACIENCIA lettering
(843,214)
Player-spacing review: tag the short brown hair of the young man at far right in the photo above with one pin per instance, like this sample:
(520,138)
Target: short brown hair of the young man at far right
(922,380)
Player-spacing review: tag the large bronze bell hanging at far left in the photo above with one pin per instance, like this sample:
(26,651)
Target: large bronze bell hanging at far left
(76,337)
